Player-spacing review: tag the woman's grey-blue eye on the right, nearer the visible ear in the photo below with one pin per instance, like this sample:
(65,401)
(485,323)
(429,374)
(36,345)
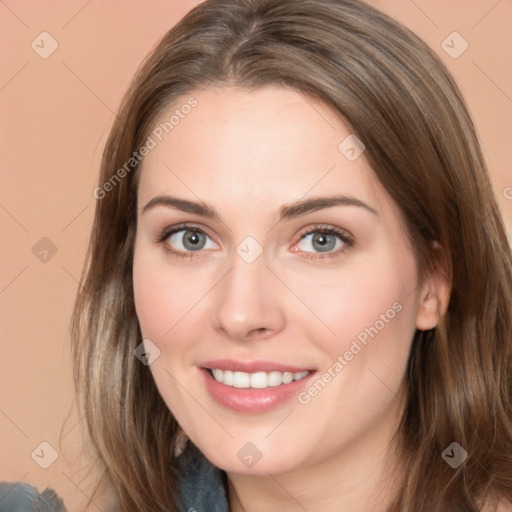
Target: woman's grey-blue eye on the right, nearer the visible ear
(327,241)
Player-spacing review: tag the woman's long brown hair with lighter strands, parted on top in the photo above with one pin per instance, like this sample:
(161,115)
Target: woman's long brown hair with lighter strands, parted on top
(400,100)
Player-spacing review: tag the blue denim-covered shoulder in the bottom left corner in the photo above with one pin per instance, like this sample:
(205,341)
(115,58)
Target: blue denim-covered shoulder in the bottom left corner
(23,497)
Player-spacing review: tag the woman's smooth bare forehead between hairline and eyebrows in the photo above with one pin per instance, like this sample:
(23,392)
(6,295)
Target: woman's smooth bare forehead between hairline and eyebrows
(252,148)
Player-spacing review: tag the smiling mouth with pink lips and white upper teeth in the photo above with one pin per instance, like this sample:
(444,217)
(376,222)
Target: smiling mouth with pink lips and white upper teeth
(253,387)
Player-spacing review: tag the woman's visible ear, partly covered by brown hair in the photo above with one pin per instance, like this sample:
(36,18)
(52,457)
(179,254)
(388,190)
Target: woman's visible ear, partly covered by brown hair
(435,293)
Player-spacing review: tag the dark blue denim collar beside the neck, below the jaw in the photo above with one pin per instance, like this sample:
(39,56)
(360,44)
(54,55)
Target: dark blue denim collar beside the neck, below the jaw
(203,487)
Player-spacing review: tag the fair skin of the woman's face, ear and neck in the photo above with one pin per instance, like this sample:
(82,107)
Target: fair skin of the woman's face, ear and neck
(247,154)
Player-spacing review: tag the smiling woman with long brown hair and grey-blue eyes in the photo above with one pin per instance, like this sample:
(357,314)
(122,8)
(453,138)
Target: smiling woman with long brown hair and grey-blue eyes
(298,289)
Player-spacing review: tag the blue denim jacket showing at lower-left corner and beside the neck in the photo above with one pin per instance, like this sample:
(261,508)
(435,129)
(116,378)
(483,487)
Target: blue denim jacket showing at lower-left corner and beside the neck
(202,489)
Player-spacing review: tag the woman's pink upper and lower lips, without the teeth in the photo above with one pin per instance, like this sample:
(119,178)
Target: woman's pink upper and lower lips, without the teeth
(248,400)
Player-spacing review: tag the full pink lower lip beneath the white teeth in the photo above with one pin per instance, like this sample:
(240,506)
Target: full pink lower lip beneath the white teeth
(252,400)
